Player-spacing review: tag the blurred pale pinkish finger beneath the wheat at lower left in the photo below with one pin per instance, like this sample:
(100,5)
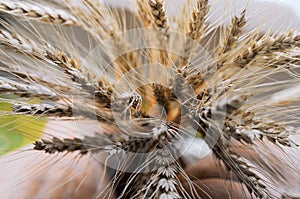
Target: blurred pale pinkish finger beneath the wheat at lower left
(84,179)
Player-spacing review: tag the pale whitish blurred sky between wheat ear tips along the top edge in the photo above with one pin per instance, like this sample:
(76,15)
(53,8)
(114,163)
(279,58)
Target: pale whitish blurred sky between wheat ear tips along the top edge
(279,13)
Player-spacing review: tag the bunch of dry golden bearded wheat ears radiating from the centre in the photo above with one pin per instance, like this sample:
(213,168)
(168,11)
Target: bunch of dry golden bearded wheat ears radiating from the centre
(153,82)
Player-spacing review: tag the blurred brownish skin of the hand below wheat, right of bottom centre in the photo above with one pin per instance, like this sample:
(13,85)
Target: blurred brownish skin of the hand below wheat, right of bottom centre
(213,180)
